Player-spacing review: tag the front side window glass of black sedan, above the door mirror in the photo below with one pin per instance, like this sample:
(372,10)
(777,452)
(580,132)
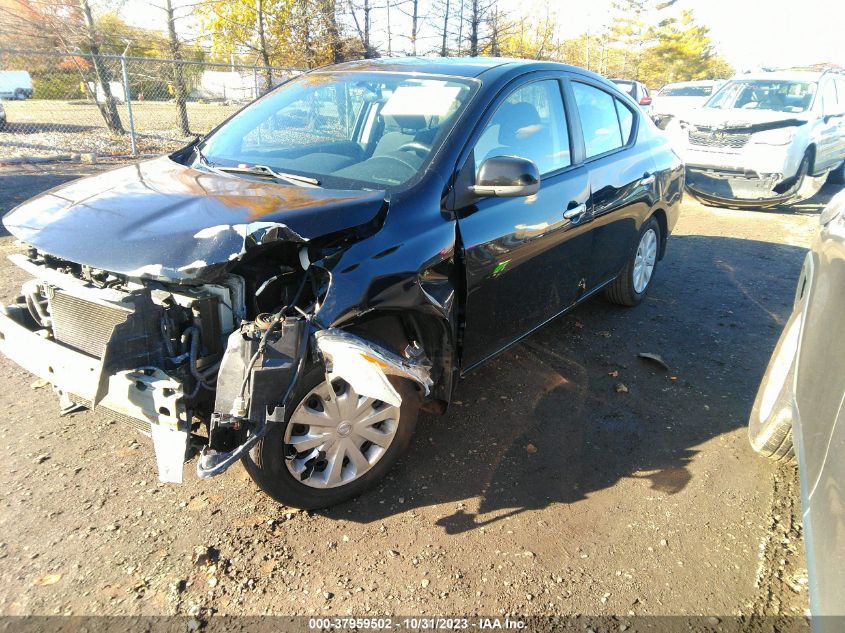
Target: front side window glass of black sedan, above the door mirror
(530,124)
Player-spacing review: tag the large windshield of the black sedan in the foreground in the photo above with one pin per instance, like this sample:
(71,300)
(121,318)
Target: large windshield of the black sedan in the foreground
(345,130)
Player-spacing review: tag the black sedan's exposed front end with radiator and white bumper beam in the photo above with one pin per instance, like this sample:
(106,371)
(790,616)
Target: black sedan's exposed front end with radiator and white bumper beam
(148,353)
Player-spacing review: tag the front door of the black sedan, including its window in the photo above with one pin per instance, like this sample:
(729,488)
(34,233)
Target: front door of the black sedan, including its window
(525,261)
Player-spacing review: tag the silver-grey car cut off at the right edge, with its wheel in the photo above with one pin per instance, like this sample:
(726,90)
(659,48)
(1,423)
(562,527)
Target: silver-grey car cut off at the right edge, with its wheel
(800,409)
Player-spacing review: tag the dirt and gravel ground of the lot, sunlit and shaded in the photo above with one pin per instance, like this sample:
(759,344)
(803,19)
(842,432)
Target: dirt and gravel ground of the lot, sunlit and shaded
(546,489)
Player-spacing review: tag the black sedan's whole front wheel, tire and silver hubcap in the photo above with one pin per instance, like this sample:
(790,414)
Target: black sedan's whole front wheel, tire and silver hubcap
(334,444)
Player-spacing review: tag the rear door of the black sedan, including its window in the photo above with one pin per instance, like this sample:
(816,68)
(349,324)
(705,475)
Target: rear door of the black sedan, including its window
(622,179)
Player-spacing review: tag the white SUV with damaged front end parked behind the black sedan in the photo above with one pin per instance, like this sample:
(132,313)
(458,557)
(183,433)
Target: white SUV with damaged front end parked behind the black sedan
(757,139)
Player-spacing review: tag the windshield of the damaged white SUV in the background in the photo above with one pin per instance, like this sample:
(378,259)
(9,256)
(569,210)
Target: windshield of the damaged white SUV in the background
(775,95)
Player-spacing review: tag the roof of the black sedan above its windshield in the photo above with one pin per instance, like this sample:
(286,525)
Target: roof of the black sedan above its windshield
(469,67)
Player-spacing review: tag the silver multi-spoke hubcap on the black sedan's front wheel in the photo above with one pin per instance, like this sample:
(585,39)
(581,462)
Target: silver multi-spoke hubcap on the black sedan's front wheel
(335,436)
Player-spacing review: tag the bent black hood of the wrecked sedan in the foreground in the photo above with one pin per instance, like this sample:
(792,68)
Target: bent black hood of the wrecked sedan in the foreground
(162,220)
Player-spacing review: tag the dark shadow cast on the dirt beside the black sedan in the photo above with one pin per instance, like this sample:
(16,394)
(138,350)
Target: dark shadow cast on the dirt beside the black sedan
(573,410)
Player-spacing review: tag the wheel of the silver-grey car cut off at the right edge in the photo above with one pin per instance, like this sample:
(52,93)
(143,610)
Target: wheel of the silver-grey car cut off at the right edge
(770,423)
